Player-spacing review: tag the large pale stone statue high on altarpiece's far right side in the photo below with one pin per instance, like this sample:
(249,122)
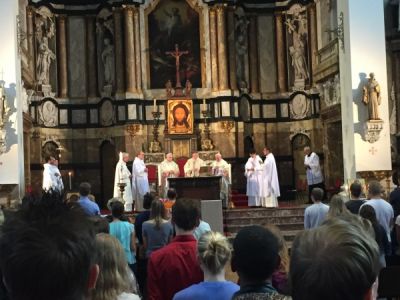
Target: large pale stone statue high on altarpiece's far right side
(296,24)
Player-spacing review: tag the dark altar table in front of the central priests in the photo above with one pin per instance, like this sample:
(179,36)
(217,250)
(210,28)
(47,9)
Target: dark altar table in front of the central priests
(203,188)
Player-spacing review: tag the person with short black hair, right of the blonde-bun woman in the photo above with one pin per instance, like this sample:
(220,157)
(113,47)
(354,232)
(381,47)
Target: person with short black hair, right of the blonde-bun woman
(255,258)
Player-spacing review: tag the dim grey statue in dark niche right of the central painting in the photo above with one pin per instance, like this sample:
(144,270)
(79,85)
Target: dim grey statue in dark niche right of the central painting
(241,26)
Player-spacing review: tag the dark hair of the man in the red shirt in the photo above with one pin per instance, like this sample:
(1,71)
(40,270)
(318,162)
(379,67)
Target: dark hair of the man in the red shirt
(186,213)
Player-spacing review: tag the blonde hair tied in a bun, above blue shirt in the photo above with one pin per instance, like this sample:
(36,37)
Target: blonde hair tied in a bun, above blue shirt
(214,251)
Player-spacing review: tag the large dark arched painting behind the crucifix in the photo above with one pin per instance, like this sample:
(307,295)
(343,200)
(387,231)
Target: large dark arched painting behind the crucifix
(171,23)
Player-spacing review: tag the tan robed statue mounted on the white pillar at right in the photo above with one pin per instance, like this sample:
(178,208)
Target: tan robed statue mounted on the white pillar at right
(372,97)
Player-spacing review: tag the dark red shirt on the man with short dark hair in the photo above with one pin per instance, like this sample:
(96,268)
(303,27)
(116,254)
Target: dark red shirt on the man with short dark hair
(173,268)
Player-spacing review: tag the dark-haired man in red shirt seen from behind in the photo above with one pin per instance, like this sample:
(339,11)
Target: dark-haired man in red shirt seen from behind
(175,266)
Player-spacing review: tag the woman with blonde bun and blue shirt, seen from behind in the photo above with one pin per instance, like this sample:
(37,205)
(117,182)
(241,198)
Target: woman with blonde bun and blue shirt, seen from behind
(213,253)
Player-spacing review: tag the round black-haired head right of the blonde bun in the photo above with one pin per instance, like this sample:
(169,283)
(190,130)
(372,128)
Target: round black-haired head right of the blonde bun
(255,254)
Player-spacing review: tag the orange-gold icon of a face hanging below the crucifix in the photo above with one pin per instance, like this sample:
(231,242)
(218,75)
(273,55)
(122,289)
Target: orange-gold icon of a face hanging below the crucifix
(180,116)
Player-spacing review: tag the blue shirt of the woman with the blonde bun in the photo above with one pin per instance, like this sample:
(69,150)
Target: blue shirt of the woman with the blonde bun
(222,290)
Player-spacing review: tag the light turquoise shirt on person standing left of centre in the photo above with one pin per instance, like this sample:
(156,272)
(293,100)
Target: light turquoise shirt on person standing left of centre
(123,230)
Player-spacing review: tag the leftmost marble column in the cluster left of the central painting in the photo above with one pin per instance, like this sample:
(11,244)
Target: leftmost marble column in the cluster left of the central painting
(119,52)
